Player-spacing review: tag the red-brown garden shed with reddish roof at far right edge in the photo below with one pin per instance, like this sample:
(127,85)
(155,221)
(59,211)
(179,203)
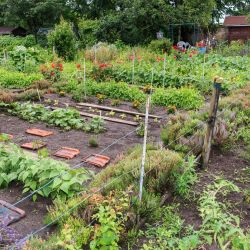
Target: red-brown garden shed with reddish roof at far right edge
(237,28)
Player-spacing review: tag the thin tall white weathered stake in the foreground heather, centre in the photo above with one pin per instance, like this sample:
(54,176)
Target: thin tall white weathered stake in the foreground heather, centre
(144,147)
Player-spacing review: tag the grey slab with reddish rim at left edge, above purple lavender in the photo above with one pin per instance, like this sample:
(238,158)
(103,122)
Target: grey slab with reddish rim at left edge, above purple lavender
(9,214)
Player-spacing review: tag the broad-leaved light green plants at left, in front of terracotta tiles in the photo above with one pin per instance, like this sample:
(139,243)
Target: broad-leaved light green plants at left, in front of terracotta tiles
(34,173)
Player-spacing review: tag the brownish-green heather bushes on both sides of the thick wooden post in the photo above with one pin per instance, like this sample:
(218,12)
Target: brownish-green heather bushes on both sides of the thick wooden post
(186,131)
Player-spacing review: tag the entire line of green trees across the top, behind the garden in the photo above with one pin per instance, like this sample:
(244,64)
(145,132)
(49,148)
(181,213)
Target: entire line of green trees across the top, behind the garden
(131,21)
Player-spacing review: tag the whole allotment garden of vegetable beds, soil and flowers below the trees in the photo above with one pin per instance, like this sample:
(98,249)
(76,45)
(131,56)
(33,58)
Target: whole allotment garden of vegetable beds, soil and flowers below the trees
(71,149)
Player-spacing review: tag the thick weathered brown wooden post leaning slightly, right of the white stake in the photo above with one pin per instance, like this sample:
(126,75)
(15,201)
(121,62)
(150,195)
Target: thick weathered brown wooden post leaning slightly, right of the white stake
(211,121)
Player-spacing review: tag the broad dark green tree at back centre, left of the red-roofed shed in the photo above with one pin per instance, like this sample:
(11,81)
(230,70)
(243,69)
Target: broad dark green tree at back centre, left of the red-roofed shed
(137,21)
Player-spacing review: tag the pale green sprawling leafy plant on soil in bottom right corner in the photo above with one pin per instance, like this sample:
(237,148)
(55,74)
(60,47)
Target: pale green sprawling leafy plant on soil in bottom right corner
(218,224)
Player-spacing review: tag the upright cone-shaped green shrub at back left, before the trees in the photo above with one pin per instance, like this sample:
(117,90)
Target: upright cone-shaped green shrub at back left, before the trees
(63,38)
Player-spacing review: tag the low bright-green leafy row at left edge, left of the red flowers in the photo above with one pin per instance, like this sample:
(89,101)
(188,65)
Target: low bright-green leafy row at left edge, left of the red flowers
(14,79)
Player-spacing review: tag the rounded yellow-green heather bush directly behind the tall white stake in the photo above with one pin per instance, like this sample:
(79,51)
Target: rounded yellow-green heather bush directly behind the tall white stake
(160,163)
